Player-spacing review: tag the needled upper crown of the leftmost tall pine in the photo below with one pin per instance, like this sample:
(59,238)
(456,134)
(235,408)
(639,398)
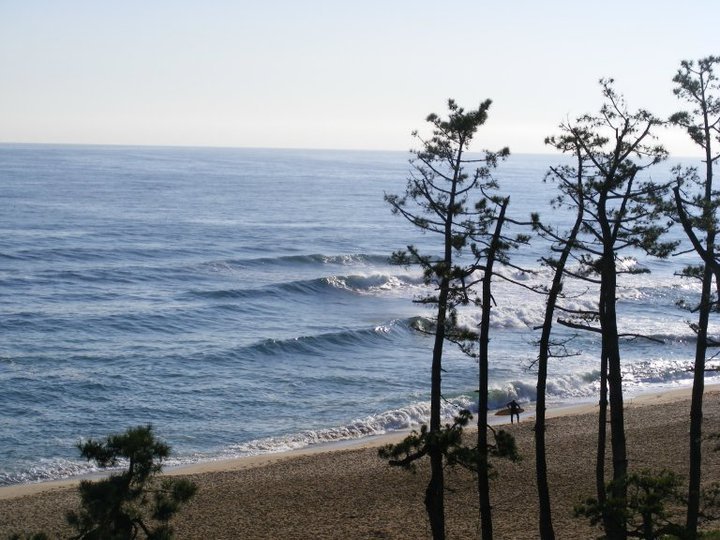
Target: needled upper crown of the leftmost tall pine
(437,195)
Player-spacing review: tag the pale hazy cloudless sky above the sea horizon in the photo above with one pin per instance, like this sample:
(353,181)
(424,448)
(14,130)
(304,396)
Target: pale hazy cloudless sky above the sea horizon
(332,74)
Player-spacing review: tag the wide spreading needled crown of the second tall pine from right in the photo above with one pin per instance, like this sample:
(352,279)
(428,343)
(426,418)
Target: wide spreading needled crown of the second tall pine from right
(620,210)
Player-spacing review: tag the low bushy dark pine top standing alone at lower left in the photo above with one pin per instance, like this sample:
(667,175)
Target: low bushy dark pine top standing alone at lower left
(133,503)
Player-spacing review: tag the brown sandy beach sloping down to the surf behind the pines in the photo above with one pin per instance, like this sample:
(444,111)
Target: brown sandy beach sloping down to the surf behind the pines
(348,492)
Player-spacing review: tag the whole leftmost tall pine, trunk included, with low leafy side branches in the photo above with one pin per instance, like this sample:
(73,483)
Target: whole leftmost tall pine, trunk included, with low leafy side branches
(437,200)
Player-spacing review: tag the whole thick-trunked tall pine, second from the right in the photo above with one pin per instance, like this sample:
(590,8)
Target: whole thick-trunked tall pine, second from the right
(619,213)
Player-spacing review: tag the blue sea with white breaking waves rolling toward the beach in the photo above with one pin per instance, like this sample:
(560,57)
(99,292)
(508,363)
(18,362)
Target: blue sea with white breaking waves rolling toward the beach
(242,302)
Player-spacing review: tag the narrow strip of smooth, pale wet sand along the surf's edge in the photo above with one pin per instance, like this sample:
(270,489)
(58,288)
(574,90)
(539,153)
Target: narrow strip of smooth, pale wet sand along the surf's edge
(375,441)
